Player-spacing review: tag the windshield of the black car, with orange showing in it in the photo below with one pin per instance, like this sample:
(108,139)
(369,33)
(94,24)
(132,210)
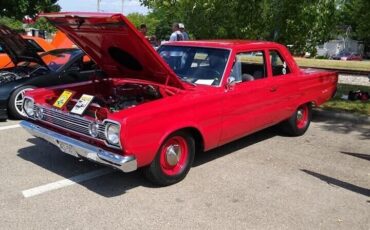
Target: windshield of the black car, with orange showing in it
(58,58)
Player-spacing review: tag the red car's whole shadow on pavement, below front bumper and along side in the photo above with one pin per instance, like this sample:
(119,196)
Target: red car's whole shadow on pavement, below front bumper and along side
(116,183)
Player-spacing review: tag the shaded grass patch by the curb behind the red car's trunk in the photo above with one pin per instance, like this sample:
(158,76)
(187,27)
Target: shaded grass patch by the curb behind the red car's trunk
(350,106)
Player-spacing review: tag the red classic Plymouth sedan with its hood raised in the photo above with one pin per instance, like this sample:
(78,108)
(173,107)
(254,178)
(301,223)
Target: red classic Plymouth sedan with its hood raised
(156,110)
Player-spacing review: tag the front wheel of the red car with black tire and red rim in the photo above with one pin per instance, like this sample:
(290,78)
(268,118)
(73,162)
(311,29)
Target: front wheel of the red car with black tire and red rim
(160,172)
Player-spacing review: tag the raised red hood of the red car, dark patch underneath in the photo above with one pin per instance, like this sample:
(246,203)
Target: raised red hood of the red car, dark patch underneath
(115,45)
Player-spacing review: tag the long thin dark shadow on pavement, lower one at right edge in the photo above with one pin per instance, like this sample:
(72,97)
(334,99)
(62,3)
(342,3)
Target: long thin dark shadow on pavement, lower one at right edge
(339,183)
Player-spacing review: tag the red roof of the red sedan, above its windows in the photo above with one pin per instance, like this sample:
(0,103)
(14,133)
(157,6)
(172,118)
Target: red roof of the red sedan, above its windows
(227,44)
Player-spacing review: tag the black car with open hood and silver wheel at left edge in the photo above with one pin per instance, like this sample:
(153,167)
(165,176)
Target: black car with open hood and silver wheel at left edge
(30,70)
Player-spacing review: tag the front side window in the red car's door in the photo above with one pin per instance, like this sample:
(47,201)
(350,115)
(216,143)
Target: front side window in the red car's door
(249,66)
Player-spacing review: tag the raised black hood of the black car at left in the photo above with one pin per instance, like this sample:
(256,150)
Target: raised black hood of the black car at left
(18,49)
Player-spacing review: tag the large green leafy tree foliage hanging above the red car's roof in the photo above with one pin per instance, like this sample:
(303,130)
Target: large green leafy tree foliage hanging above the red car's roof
(300,23)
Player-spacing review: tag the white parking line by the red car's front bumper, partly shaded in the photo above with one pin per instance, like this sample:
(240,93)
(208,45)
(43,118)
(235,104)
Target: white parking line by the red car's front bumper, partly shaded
(66,182)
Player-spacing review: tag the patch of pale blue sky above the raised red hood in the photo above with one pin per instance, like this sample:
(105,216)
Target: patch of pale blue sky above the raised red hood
(129,6)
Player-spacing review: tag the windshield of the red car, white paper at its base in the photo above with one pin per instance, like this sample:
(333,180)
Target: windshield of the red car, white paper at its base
(204,66)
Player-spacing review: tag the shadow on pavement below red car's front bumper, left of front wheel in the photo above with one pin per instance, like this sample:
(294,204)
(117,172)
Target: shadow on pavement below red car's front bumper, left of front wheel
(52,159)
